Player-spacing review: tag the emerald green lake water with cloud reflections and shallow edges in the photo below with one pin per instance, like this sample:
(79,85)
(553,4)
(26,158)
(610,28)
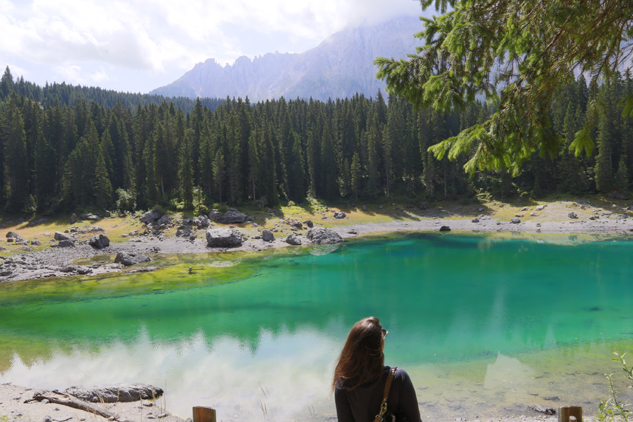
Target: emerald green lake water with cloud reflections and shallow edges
(484,326)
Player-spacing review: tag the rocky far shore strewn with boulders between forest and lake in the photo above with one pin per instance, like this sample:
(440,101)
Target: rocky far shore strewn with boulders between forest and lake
(236,231)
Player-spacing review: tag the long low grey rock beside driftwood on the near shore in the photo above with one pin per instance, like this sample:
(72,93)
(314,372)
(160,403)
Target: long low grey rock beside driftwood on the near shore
(123,393)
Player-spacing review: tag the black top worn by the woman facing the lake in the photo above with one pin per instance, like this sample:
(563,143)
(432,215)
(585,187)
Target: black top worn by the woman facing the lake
(362,404)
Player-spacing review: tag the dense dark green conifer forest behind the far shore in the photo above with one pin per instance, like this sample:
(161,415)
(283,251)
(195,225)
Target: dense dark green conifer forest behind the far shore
(60,156)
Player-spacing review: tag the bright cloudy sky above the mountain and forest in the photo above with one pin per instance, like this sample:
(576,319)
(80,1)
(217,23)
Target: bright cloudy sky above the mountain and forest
(140,45)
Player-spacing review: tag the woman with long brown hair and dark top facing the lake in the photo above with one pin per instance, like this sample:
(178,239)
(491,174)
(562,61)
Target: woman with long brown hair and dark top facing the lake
(360,377)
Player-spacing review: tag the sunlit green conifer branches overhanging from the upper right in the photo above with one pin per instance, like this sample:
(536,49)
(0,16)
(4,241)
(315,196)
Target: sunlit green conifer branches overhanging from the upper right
(518,54)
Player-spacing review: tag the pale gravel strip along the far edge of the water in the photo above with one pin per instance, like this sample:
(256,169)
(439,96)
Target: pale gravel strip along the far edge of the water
(54,262)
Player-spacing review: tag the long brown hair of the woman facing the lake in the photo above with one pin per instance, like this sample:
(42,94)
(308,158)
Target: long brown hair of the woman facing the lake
(362,359)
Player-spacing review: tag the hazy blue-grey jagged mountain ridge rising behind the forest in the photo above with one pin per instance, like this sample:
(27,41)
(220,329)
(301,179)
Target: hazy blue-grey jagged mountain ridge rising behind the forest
(341,66)
